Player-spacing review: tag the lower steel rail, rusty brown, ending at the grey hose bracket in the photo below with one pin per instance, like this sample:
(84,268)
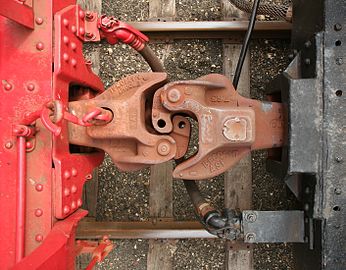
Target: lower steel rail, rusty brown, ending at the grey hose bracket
(91,229)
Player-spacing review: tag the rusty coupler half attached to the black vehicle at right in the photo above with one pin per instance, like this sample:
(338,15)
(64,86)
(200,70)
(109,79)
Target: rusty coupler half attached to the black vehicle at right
(229,125)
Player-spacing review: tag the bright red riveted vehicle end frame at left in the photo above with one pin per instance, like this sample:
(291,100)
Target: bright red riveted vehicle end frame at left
(41,59)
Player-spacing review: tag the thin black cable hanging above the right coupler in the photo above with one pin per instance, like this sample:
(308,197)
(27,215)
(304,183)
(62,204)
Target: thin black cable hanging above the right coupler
(245,46)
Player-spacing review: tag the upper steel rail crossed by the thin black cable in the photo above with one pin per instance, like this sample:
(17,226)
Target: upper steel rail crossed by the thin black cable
(211,29)
